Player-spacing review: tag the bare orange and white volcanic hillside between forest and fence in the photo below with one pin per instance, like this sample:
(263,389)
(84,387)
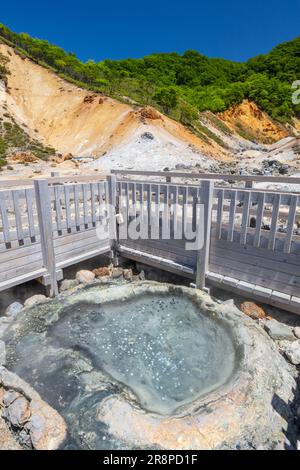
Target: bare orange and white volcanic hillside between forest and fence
(45,119)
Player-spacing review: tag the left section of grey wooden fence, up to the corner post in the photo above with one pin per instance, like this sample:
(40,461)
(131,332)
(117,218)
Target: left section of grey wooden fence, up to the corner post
(48,227)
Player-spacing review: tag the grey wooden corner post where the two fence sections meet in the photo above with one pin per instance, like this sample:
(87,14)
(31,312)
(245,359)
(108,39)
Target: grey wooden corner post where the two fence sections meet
(112,211)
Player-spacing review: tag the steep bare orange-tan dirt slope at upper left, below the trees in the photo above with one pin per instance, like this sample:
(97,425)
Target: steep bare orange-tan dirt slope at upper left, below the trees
(72,120)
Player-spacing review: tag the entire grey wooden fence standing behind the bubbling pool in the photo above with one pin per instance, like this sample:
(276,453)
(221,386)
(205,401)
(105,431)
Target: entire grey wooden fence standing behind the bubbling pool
(251,241)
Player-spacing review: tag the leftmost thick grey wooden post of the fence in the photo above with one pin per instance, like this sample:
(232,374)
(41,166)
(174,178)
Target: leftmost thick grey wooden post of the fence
(43,203)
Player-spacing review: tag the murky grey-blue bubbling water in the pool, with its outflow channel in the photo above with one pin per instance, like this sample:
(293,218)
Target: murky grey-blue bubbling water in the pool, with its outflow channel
(160,348)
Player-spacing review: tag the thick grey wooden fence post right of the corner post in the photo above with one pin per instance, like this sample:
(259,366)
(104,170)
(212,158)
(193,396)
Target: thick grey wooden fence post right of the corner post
(206,192)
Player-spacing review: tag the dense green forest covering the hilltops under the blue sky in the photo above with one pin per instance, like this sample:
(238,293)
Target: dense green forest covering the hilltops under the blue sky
(179,85)
